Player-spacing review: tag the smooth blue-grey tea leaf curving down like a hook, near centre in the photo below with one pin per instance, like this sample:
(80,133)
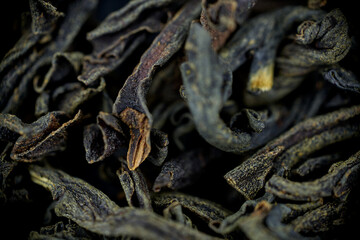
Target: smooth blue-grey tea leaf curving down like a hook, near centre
(203,87)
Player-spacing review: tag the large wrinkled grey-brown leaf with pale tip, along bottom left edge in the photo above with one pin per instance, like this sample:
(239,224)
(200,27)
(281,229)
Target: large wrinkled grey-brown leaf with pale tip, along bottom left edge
(94,211)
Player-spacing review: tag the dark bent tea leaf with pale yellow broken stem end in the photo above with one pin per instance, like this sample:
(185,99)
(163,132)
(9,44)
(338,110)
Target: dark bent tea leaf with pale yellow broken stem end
(261,37)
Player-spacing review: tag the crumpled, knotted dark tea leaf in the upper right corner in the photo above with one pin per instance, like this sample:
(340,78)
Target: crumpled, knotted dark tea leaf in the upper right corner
(329,38)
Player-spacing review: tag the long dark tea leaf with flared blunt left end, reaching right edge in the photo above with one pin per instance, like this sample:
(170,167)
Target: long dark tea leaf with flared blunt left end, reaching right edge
(241,177)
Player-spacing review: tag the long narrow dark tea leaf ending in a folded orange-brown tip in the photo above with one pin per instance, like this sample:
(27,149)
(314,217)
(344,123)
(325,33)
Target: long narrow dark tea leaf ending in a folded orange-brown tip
(130,103)
